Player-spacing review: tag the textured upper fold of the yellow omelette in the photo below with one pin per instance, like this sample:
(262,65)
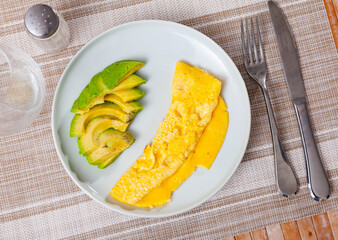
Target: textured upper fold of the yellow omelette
(195,95)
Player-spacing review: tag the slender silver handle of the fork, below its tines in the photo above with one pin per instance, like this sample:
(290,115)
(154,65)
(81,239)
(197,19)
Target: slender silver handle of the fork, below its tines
(285,179)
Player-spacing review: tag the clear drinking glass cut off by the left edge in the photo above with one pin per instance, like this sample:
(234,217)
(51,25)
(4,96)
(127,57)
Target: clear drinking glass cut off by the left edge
(22,90)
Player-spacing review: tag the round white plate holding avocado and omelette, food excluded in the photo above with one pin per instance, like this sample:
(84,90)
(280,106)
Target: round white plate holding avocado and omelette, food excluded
(160,45)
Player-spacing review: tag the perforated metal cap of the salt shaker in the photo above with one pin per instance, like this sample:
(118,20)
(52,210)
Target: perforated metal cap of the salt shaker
(41,21)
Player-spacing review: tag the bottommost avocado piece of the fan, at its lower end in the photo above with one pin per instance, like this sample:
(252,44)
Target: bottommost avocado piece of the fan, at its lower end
(112,144)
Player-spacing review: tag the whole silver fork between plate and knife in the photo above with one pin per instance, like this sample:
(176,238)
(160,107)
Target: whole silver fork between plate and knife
(256,67)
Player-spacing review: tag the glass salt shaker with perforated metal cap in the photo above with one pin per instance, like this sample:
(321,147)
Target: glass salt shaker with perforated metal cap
(47,28)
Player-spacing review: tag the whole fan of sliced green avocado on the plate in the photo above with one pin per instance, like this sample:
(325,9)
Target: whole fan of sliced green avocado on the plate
(104,110)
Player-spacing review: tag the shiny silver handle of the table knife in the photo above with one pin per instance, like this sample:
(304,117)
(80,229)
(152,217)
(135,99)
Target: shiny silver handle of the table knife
(317,180)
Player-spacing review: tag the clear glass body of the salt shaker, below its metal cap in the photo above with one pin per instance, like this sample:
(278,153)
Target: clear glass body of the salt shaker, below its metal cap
(58,41)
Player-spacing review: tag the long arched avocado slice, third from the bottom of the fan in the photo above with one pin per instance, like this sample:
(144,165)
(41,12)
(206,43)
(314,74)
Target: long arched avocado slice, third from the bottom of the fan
(79,122)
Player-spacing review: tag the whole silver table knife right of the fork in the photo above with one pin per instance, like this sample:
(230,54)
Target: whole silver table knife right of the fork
(317,180)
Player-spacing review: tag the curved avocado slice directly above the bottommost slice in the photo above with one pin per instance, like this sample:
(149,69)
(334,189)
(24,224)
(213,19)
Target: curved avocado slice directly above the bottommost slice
(90,140)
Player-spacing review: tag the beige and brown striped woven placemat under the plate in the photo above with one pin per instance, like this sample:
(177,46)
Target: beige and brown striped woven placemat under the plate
(38,200)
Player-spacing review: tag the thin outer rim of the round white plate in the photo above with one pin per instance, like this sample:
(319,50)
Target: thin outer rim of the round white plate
(137,214)
